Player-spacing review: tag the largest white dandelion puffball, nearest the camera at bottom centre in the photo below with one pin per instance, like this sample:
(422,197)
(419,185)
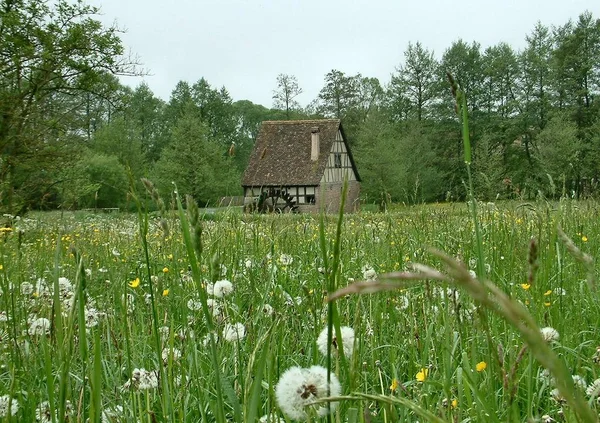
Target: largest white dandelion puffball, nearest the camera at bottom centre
(298,391)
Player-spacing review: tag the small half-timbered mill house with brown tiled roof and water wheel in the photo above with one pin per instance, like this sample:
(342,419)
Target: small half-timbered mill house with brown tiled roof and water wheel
(301,165)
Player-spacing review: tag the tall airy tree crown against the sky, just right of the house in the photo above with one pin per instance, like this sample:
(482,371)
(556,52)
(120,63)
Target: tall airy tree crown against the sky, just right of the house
(415,86)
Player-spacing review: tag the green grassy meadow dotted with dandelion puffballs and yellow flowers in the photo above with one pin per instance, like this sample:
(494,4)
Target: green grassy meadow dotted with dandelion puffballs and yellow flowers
(153,318)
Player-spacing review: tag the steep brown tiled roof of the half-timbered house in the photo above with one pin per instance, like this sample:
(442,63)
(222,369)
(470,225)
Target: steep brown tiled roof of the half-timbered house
(281,155)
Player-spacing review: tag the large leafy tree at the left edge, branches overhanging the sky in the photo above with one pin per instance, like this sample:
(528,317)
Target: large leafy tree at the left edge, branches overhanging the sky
(49,51)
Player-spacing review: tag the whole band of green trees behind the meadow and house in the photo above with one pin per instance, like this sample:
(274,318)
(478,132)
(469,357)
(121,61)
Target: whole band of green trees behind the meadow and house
(73,136)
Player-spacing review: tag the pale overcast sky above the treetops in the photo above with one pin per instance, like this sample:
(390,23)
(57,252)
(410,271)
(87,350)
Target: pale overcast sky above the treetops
(244,44)
